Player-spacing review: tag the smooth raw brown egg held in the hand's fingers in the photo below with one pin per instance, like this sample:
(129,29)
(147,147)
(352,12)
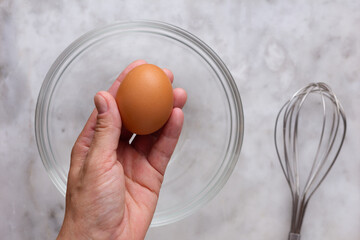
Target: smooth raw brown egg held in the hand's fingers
(145,99)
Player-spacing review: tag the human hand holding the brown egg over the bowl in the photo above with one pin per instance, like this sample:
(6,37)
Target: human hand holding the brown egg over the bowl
(113,186)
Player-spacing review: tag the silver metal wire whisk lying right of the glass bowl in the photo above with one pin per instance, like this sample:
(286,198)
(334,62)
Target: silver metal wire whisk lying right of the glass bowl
(315,103)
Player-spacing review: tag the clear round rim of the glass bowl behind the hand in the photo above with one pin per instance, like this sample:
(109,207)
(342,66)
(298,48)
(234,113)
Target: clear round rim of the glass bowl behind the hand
(184,37)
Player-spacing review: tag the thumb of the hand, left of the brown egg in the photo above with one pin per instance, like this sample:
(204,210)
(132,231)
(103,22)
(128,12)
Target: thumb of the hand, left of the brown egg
(107,128)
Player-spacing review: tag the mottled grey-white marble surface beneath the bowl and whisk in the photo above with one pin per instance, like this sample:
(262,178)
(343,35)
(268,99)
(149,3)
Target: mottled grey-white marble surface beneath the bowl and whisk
(272,48)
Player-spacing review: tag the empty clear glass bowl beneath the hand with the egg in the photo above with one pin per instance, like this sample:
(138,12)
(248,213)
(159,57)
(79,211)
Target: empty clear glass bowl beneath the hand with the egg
(211,138)
